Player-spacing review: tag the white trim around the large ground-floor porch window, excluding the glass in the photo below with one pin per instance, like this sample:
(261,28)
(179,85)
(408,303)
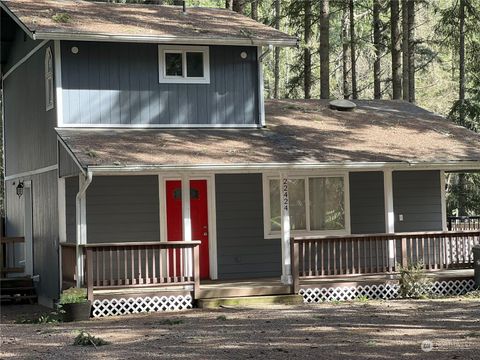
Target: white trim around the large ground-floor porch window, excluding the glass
(266,205)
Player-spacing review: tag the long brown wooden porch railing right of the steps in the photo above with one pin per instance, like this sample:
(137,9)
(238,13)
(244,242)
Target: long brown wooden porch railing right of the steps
(314,257)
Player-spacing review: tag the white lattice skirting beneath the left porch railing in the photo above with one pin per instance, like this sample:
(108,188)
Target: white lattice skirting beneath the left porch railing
(113,307)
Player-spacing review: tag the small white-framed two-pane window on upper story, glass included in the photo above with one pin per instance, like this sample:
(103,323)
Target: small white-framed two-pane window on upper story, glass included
(184,64)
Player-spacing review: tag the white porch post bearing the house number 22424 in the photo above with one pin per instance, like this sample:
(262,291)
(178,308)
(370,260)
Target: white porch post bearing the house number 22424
(286,257)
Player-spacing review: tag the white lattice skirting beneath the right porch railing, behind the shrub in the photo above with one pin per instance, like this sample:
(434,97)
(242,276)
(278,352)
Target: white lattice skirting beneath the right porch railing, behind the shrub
(384,291)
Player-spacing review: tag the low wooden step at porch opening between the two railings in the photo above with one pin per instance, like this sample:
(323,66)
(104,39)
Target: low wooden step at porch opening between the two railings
(249,301)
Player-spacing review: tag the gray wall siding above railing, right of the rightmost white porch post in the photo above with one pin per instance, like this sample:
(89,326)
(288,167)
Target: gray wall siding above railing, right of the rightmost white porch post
(417,196)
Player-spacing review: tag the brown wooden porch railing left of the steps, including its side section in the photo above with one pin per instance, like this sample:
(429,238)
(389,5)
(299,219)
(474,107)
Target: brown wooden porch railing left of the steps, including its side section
(138,264)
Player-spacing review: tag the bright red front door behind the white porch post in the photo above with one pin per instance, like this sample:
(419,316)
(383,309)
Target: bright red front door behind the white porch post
(198,214)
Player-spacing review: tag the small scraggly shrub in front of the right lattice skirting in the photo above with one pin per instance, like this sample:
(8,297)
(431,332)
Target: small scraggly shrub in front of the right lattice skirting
(414,282)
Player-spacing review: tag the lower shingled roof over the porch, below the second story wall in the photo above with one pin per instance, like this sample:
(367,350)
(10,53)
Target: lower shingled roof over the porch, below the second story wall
(299,133)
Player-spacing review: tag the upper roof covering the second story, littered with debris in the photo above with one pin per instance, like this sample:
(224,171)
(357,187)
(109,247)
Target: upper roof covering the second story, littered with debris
(138,22)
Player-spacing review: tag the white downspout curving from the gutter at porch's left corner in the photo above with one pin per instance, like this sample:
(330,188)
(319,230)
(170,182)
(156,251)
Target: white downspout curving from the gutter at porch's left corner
(81,224)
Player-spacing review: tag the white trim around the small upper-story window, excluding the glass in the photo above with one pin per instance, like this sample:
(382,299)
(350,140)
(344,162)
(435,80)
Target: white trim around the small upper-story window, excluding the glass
(163,78)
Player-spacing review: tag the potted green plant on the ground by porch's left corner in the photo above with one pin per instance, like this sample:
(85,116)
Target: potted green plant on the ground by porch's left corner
(74,305)
